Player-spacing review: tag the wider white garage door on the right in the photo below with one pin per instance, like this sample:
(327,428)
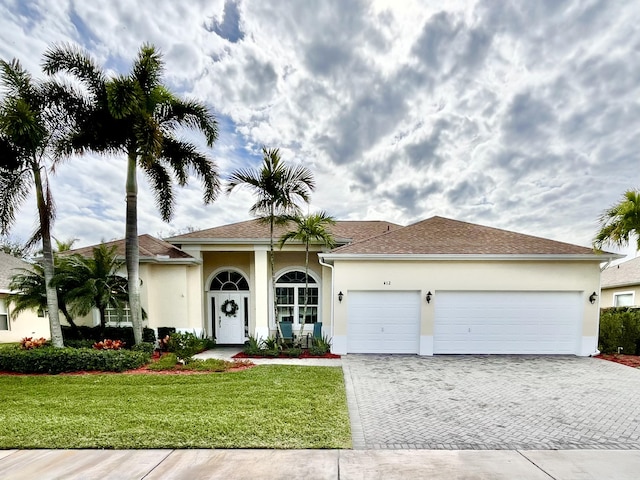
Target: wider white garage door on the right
(507,322)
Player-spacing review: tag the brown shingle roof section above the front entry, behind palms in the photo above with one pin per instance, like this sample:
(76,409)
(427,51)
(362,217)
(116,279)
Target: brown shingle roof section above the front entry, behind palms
(255,230)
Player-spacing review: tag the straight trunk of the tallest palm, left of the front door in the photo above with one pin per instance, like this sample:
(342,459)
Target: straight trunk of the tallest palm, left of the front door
(132,251)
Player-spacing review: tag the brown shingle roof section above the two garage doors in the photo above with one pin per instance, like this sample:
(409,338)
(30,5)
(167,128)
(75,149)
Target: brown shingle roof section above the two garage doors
(441,236)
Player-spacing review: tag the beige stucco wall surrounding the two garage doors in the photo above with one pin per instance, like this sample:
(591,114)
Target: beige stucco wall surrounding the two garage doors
(437,276)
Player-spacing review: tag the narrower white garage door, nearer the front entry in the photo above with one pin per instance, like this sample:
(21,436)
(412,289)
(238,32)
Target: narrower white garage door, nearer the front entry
(383,322)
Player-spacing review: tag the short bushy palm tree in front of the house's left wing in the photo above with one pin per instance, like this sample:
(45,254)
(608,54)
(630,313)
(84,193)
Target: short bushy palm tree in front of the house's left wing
(93,282)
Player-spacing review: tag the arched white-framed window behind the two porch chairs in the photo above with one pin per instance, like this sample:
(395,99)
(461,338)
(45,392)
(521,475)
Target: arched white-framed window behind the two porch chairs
(292,303)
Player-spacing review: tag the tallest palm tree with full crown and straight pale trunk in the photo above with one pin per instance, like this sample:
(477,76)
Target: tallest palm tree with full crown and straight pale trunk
(136,115)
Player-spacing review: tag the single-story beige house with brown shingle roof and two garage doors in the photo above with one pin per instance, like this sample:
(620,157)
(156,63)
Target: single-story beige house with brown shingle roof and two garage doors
(436,286)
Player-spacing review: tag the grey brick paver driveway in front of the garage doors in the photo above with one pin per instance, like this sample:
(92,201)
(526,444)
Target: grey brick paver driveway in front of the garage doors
(492,402)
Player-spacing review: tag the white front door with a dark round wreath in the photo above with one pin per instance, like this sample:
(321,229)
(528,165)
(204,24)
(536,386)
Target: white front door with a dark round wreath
(228,316)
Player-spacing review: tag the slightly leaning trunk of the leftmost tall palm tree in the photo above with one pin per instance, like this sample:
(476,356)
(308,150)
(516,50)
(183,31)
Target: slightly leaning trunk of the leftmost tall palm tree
(47,261)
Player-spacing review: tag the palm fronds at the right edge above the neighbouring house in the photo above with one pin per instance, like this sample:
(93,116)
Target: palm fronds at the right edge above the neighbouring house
(620,221)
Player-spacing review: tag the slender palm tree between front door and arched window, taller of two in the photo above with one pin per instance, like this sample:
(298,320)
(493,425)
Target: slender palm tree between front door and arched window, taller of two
(276,187)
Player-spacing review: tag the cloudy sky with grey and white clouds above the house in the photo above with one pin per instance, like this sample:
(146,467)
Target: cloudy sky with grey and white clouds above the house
(522,115)
